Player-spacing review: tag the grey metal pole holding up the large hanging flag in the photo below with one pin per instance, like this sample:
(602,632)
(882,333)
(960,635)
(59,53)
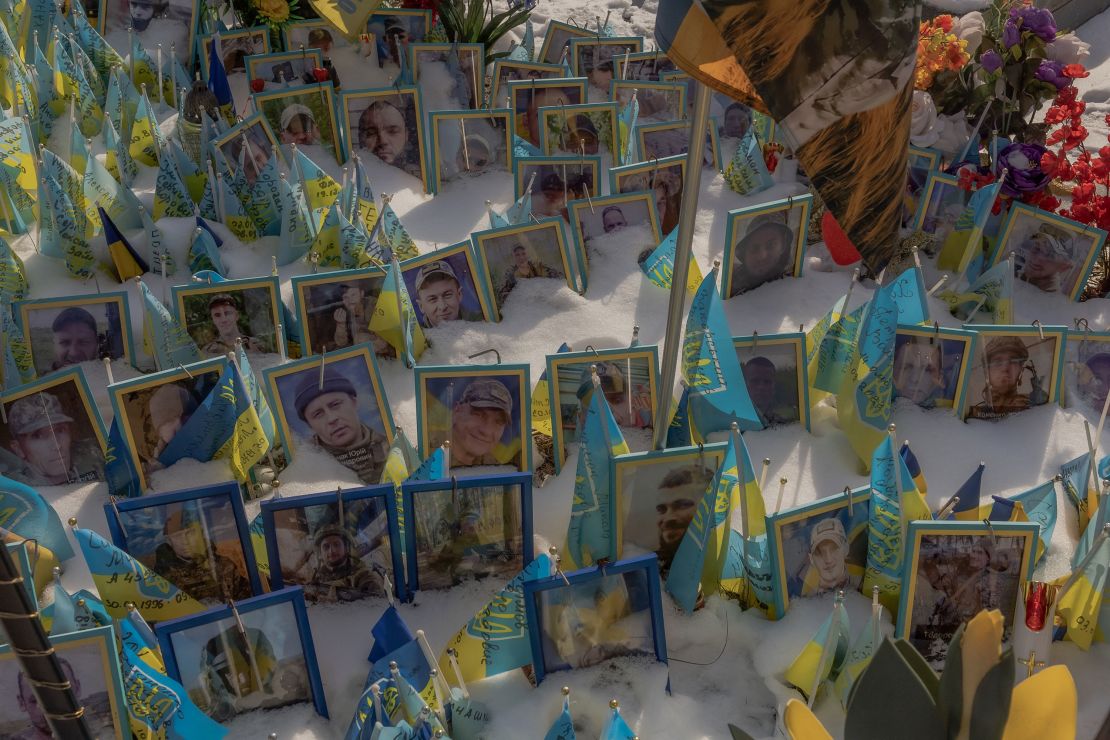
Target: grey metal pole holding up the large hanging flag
(692,187)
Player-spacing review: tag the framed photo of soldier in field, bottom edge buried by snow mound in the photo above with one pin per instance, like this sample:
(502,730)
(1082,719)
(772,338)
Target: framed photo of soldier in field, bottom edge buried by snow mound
(511,255)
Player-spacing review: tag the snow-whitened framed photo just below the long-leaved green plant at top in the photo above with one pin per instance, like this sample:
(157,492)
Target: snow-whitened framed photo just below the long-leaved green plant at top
(451,76)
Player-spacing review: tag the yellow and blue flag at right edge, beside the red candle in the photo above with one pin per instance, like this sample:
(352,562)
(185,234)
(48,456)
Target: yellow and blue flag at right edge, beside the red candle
(1083,597)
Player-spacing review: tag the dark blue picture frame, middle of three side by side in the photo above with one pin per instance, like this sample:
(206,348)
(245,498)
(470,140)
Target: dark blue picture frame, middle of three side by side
(386,493)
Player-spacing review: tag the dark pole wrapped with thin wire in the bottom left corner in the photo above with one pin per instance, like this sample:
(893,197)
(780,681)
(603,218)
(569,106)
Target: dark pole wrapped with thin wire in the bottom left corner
(43,671)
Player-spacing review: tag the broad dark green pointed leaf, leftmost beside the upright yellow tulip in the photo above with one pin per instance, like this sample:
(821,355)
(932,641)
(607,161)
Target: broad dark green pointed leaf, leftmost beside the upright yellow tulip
(889,695)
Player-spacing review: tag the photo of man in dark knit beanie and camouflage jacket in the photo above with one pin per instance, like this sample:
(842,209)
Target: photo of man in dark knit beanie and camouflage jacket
(330,407)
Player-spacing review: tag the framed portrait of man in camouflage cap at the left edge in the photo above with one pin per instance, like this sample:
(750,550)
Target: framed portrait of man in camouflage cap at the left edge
(46,445)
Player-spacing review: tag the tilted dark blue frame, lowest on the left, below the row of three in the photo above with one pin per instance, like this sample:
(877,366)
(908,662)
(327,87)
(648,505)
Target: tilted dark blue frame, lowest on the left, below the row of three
(292,595)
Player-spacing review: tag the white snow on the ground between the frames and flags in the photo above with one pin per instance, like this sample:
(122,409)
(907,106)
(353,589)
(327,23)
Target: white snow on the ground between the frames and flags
(726,665)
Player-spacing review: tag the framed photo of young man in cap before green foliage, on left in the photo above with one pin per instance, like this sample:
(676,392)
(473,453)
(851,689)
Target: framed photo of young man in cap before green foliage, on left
(218,315)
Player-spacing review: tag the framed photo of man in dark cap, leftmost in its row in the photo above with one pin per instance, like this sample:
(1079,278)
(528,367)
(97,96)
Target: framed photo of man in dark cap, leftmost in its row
(77,329)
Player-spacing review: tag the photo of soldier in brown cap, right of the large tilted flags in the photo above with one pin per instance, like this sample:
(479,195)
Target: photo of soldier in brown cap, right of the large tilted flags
(1005,387)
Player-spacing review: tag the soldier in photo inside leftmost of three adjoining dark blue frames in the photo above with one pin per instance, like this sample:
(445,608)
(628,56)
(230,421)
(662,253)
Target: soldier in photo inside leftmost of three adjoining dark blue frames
(193,564)
